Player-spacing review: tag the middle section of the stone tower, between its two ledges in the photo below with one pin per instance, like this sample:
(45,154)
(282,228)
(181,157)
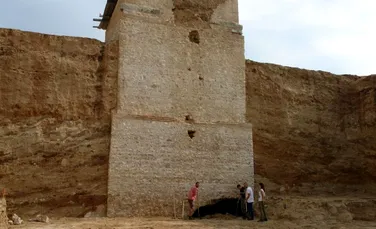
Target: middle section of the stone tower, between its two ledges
(163,73)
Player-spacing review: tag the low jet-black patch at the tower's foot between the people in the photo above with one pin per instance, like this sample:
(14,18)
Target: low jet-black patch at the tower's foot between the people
(226,206)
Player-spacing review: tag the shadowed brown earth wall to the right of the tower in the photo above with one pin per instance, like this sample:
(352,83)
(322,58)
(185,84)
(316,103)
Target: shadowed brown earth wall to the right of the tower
(313,131)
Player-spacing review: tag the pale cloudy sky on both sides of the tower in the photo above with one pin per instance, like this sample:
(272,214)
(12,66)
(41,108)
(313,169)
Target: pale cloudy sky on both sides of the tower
(332,35)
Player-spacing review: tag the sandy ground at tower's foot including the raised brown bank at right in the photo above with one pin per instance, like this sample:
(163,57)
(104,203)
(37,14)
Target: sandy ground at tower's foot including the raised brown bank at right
(289,212)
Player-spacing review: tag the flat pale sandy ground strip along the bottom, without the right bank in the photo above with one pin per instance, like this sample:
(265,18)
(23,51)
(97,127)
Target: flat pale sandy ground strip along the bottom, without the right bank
(165,223)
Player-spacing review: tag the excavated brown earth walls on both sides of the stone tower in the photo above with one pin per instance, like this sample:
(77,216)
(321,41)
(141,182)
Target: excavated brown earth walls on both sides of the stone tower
(314,132)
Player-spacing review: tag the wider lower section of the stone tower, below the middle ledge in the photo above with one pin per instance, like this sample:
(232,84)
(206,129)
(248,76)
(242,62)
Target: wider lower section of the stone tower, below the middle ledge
(154,161)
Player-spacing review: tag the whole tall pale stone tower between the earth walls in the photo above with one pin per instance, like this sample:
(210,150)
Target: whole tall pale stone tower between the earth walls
(181,104)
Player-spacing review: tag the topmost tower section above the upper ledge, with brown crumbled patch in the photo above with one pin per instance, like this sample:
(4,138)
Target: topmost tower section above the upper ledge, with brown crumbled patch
(194,14)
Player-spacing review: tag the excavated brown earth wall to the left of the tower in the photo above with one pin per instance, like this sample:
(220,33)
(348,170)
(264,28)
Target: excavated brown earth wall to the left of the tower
(56,94)
